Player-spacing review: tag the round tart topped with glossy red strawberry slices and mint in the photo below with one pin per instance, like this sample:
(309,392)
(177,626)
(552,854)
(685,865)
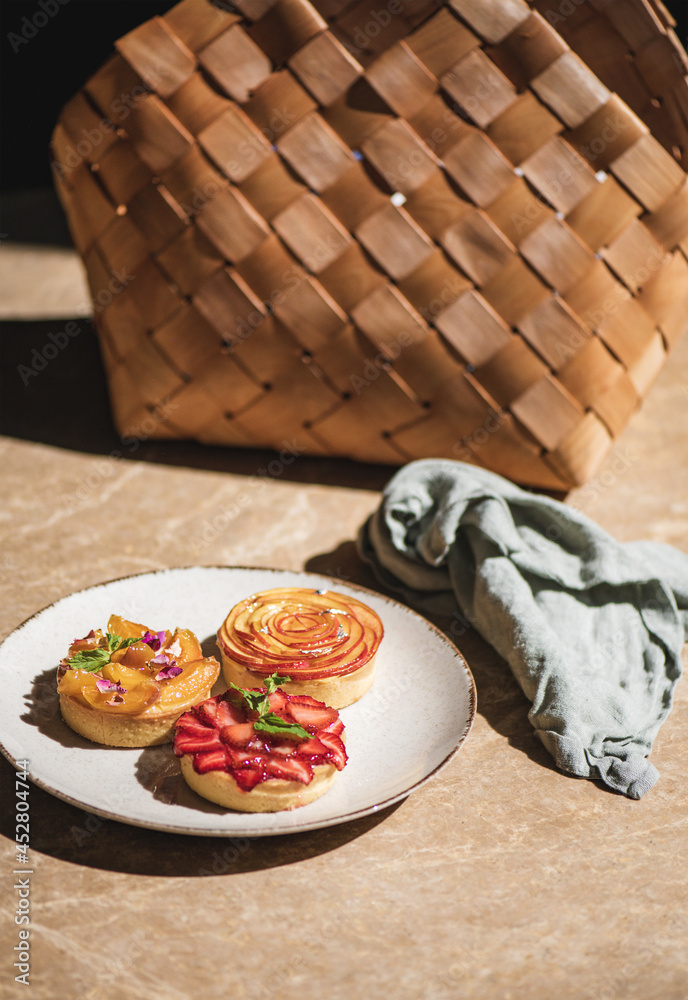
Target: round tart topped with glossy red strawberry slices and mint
(260,750)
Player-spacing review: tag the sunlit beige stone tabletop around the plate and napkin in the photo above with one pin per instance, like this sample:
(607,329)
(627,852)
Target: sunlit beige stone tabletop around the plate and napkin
(501,879)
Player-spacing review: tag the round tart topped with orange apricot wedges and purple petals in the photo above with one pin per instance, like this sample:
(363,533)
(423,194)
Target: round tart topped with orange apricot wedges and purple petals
(126,687)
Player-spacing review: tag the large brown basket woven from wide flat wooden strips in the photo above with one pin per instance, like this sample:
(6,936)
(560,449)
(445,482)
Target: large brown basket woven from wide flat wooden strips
(387,229)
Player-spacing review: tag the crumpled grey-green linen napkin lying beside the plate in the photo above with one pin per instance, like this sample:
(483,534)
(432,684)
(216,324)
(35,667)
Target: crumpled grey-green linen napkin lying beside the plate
(592,628)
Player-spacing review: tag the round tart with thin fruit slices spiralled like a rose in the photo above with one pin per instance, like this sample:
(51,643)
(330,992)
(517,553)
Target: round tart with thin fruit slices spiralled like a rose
(325,641)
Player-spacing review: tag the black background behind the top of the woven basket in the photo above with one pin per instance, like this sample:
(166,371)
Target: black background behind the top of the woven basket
(46,71)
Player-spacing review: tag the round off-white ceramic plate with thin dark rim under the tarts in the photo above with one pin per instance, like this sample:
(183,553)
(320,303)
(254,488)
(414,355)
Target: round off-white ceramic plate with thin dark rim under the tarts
(412,721)
